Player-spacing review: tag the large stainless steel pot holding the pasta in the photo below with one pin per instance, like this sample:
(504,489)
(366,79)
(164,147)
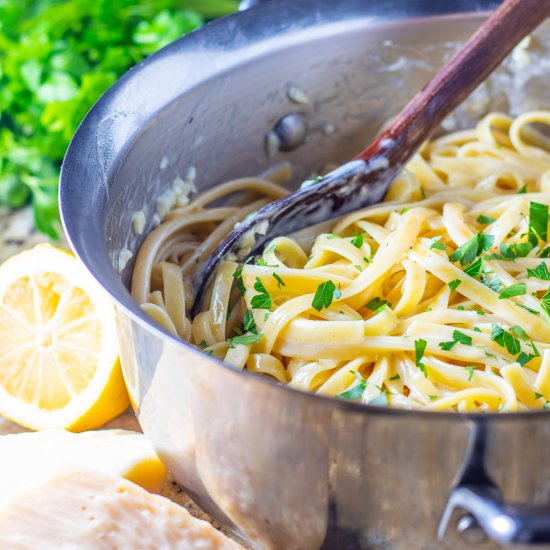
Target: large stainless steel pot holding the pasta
(279,467)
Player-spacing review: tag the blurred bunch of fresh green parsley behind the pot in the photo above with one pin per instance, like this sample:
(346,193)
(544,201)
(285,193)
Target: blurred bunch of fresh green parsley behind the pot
(56,59)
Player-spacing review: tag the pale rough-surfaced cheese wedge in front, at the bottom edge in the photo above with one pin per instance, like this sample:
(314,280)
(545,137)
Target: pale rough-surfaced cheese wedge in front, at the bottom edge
(87,510)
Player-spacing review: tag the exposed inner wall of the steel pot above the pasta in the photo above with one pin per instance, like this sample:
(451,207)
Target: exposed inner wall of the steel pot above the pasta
(356,77)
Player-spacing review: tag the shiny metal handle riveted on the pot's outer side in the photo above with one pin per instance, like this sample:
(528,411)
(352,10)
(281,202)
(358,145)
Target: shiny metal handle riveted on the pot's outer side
(487,514)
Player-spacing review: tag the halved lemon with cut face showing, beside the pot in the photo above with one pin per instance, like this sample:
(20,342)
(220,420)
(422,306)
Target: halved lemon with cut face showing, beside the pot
(59,364)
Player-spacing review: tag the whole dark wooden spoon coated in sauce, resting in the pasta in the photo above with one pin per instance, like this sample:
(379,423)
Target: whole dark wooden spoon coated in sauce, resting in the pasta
(365,180)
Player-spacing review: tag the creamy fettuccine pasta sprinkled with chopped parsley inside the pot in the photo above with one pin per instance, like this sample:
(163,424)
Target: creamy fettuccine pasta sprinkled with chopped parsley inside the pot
(438,298)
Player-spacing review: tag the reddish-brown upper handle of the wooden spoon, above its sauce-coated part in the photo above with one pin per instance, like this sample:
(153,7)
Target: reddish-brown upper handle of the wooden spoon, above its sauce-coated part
(479,56)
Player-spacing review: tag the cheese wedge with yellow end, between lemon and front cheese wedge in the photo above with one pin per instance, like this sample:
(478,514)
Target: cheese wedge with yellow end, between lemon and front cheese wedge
(32,458)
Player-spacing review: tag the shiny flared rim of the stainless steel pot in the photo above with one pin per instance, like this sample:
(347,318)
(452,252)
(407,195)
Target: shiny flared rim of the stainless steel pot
(81,163)
